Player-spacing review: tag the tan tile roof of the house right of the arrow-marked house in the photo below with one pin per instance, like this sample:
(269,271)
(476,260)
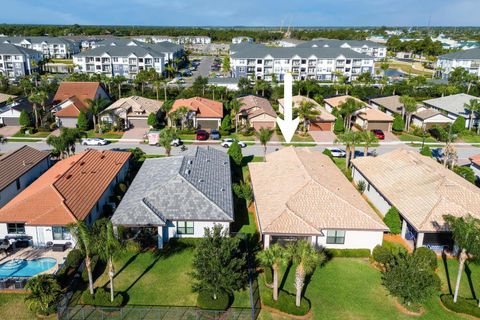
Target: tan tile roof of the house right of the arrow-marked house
(420,188)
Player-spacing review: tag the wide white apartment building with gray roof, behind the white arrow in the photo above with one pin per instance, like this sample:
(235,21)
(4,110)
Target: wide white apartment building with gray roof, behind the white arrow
(319,63)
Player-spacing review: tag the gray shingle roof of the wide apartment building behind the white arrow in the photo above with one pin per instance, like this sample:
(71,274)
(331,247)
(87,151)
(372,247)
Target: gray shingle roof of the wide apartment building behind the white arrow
(255,51)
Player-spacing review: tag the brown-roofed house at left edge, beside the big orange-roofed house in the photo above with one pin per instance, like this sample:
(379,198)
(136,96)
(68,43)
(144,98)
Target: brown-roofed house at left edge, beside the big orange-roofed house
(18,169)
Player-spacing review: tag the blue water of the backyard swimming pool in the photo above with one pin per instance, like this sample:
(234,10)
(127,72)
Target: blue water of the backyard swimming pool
(25,268)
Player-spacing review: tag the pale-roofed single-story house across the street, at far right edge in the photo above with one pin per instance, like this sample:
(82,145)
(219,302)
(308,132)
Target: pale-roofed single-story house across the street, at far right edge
(453,106)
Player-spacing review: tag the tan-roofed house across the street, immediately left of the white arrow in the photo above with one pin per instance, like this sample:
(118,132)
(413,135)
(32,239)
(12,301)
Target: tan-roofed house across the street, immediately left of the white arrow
(256,111)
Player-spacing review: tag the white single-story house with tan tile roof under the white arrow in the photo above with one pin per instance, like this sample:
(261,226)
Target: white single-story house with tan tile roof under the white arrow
(301,194)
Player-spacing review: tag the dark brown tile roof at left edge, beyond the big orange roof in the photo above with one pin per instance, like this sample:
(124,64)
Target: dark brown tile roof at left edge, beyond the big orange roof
(15,164)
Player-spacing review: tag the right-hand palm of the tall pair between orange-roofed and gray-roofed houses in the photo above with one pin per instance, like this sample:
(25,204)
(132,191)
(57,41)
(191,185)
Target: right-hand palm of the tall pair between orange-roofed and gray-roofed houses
(107,246)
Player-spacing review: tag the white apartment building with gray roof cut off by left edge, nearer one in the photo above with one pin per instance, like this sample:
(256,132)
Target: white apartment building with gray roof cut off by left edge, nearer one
(17,61)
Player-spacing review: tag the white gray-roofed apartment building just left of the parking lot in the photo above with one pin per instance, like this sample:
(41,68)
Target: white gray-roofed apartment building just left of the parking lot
(119,60)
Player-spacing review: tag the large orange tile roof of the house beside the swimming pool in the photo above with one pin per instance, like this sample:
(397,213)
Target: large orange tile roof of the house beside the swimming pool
(68,191)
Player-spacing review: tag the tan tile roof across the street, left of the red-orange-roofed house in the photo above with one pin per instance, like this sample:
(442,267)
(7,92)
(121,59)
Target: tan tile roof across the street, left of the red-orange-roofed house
(136,106)
